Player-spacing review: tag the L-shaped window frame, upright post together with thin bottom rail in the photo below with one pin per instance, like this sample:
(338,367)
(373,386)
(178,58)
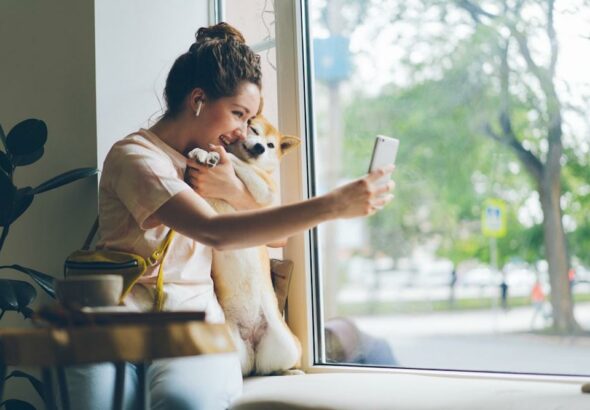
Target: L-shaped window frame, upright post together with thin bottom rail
(295,99)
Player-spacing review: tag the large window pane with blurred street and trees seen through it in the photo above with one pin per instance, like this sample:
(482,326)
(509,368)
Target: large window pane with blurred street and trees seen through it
(482,260)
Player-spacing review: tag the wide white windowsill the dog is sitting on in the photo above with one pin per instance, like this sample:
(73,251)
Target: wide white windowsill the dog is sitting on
(389,389)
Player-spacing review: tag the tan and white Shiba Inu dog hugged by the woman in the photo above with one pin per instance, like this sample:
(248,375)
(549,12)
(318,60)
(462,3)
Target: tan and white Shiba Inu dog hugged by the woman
(242,277)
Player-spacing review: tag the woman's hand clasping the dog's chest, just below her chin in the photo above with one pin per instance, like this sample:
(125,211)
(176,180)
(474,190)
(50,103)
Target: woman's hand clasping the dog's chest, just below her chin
(219,182)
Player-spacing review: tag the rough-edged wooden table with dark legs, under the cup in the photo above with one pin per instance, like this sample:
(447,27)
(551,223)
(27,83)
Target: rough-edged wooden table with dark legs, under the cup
(55,348)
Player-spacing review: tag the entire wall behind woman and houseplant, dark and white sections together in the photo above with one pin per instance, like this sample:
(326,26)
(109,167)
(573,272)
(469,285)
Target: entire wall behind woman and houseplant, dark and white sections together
(93,72)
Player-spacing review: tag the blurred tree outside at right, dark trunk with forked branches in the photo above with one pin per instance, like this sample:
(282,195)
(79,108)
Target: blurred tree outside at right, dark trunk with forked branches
(537,87)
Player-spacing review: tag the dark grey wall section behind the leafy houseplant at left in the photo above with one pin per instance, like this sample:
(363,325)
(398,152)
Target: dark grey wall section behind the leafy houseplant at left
(47,72)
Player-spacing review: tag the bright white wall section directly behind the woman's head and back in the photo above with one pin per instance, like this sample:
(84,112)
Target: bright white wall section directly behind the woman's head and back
(135,48)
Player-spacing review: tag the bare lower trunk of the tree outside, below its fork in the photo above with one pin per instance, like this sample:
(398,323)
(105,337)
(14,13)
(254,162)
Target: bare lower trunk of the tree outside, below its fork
(556,253)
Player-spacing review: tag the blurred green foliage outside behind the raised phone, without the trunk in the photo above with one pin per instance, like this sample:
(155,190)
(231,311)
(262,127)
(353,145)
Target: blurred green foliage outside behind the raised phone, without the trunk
(447,163)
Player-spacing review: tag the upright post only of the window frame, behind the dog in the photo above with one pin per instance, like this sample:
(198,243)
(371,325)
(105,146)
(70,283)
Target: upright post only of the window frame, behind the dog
(296,182)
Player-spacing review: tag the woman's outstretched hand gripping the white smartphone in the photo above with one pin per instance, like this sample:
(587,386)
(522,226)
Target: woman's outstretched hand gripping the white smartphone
(363,197)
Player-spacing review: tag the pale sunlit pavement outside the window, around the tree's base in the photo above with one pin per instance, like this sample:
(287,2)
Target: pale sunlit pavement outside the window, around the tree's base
(482,341)
